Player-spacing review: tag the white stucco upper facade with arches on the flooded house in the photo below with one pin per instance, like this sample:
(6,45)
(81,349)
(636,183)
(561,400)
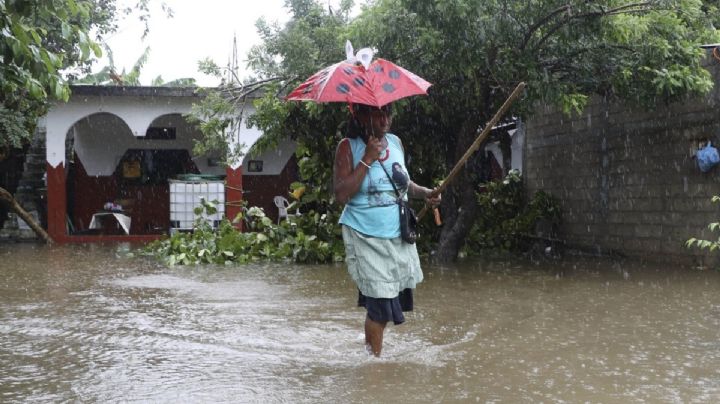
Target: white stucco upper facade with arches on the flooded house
(104,127)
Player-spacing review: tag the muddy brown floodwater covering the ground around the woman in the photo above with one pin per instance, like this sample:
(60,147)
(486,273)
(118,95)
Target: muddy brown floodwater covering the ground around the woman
(89,324)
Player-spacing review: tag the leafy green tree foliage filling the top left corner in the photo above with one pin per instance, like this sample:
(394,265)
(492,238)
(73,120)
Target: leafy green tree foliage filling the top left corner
(44,43)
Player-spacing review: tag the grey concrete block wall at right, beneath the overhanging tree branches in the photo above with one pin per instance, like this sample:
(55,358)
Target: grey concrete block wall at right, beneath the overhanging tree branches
(627,178)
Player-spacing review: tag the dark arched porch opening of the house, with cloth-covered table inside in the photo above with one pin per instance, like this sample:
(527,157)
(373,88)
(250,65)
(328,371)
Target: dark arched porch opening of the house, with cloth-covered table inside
(118,177)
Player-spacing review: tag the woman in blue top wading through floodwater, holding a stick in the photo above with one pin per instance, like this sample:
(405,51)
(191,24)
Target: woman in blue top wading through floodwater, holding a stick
(383,266)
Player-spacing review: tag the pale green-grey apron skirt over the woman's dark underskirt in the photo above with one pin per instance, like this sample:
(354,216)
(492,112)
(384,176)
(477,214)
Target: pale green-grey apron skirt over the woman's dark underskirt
(381,268)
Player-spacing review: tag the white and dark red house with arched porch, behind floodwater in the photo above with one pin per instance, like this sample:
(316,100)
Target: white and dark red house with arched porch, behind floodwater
(120,148)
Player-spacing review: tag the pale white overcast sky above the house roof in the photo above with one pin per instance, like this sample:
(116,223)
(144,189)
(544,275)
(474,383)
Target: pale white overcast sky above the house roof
(198,29)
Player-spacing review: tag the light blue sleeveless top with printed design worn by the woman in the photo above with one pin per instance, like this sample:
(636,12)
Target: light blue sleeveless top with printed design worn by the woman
(373,209)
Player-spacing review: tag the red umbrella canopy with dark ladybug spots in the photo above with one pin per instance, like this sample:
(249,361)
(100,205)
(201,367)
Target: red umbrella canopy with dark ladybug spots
(381,83)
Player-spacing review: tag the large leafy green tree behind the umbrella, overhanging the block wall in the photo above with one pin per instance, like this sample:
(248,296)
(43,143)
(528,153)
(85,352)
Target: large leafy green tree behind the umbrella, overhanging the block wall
(475,52)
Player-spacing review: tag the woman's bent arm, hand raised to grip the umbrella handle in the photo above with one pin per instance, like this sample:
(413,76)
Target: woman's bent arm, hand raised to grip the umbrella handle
(346,178)
